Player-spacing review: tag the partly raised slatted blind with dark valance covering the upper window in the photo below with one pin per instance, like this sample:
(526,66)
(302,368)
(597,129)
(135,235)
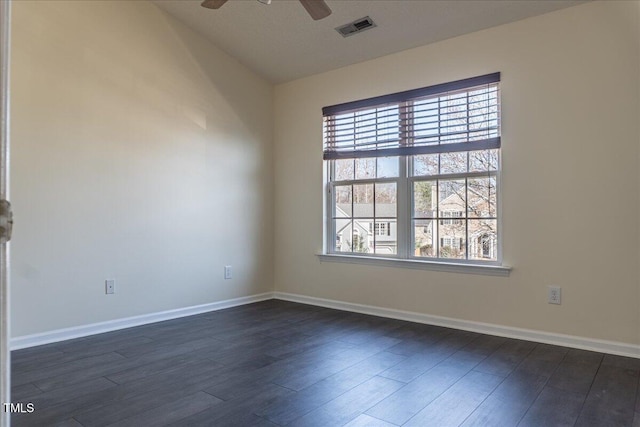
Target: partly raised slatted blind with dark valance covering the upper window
(458,116)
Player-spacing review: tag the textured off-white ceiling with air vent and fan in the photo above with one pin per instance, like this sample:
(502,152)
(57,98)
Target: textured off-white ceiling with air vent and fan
(281,42)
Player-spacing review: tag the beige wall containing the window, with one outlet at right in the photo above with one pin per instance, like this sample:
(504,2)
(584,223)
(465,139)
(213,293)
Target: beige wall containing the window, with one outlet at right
(570,192)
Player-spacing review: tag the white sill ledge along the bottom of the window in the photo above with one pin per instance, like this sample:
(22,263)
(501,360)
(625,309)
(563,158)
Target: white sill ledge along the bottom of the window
(487,270)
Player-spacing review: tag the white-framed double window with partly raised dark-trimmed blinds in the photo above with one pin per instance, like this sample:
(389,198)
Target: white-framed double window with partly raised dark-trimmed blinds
(414,175)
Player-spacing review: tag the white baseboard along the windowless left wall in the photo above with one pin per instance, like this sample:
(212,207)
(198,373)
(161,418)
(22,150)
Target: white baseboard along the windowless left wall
(26,341)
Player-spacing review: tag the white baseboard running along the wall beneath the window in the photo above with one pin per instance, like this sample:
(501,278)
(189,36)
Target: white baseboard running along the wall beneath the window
(610,347)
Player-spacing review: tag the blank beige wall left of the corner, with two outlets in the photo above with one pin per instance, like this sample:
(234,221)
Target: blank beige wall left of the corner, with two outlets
(139,152)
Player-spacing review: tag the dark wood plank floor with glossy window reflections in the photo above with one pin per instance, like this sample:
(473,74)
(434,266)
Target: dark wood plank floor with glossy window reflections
(281,363)
